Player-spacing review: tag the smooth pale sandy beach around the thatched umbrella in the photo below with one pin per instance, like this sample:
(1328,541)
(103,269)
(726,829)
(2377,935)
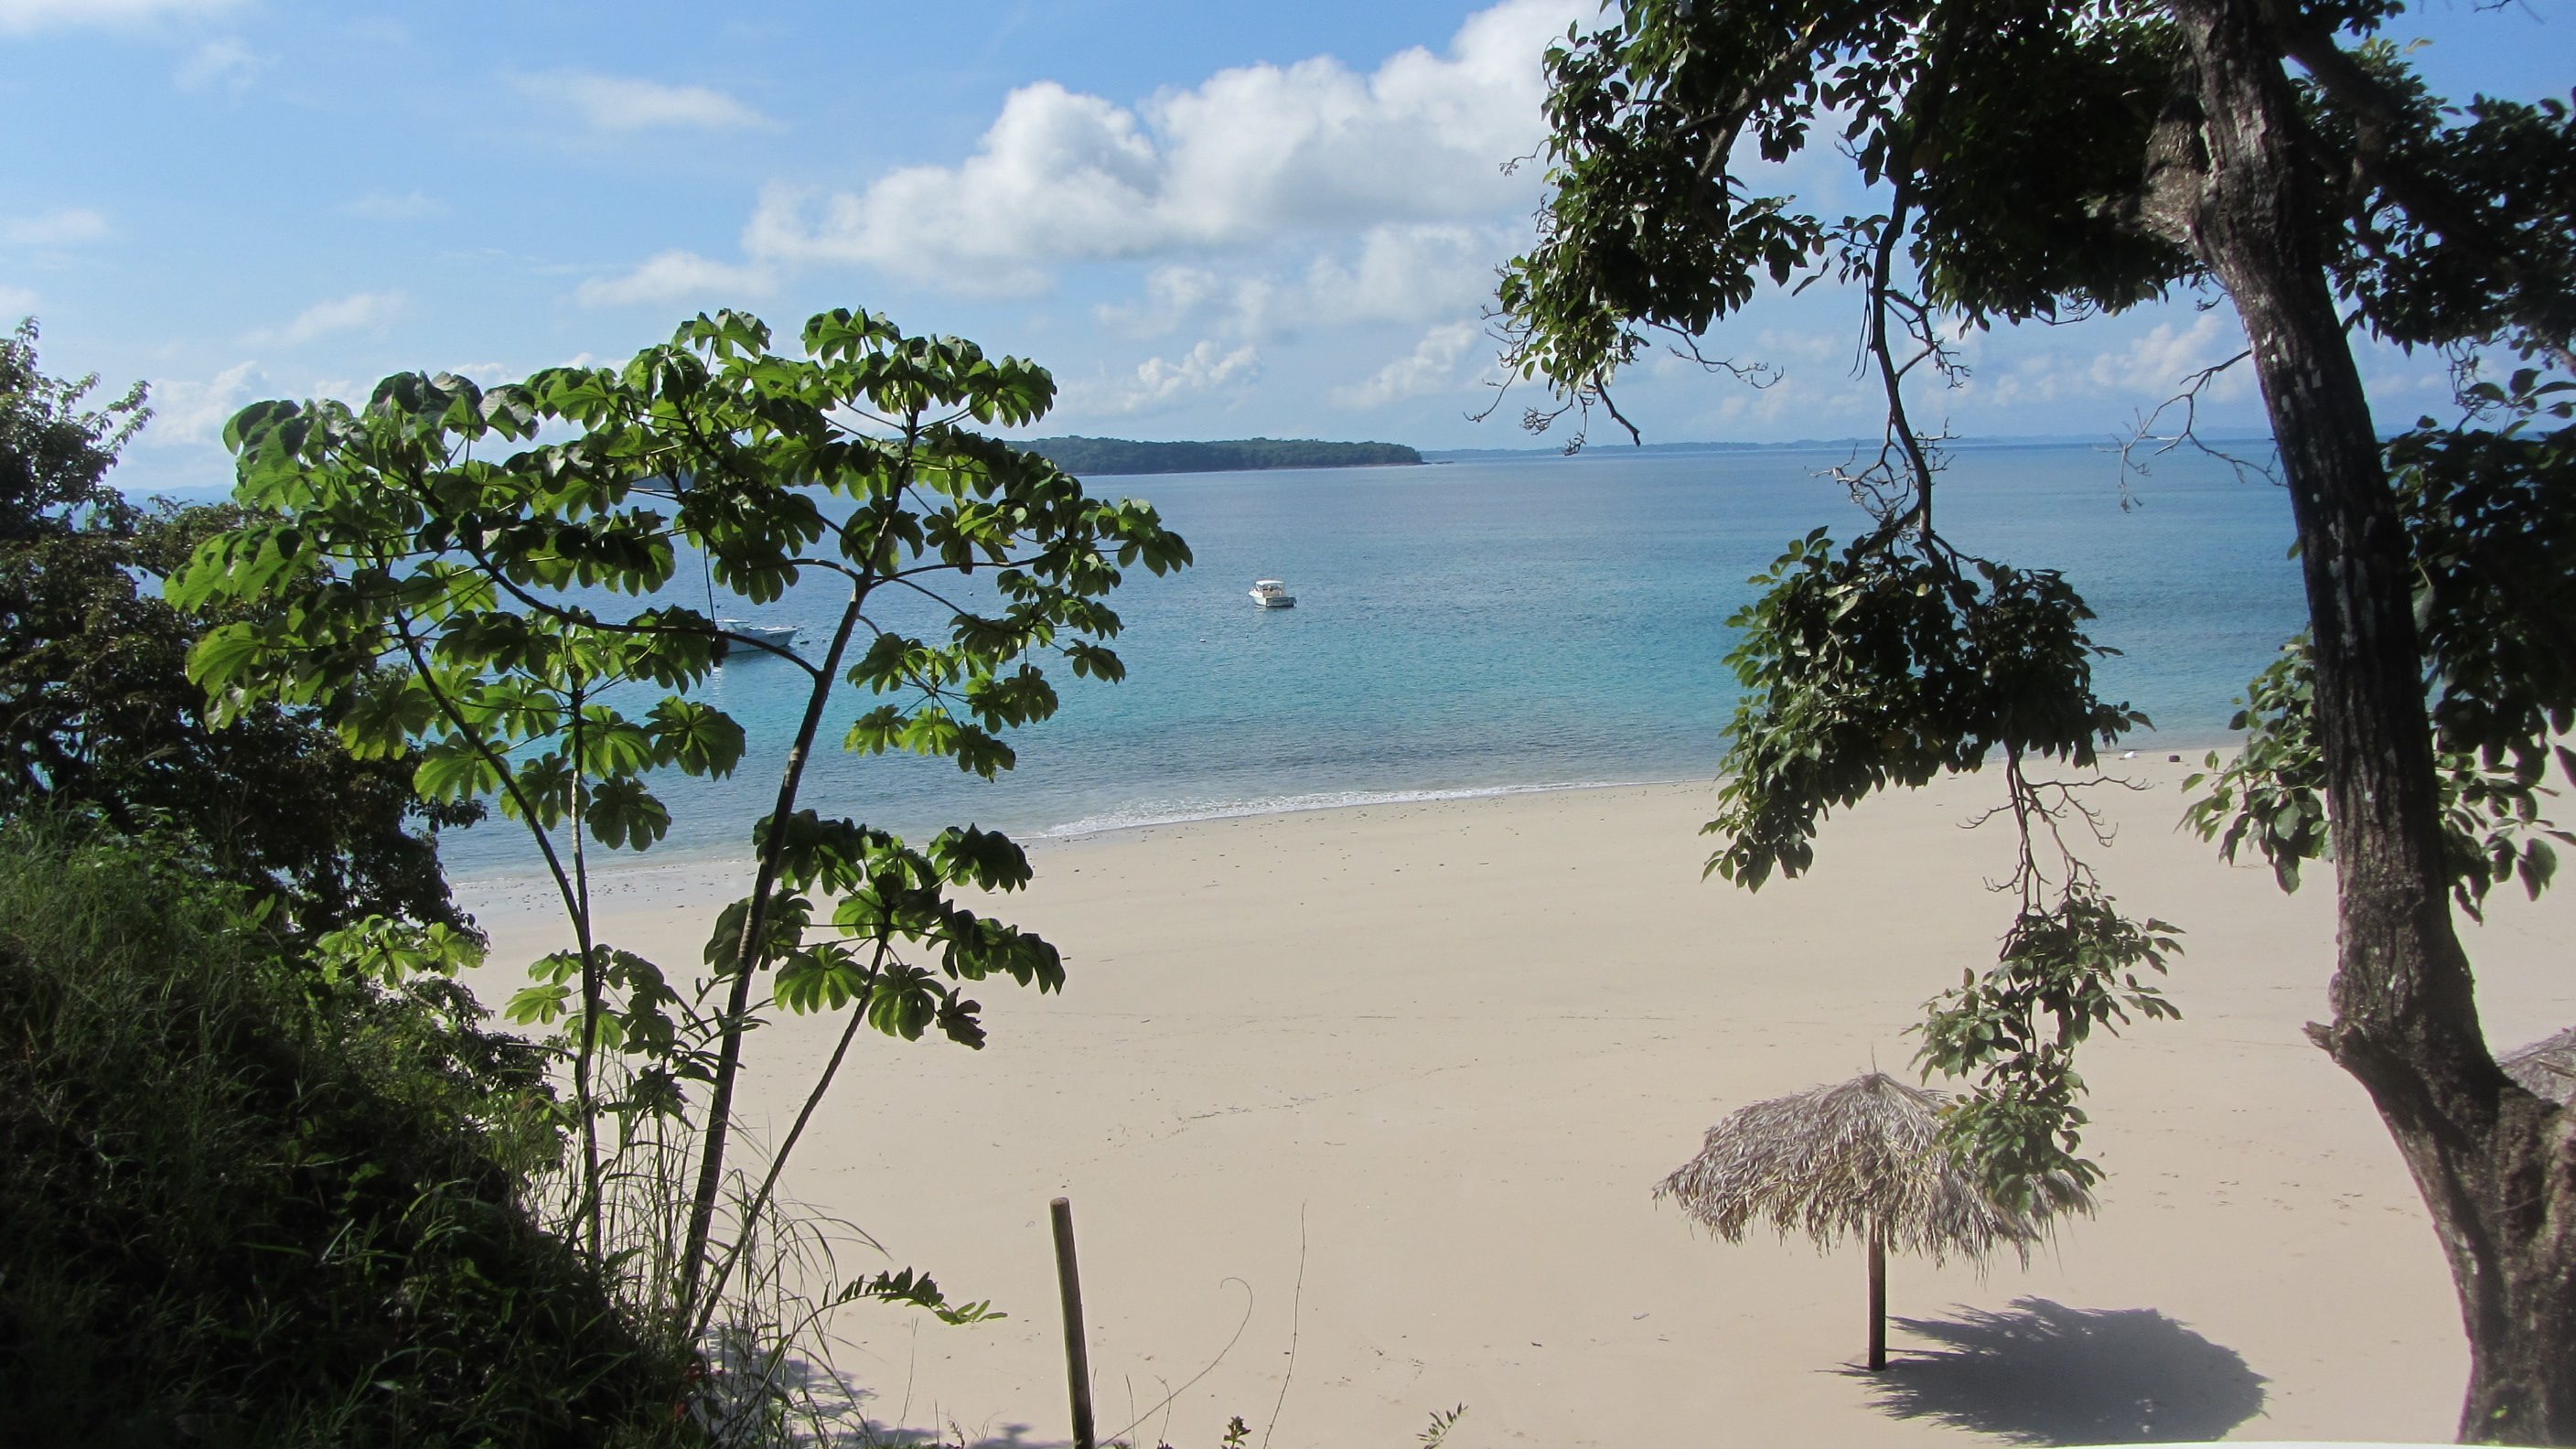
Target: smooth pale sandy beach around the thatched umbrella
(1379,1094)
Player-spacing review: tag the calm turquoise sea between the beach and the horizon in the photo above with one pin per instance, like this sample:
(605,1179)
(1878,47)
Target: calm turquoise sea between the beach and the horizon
(1503,625)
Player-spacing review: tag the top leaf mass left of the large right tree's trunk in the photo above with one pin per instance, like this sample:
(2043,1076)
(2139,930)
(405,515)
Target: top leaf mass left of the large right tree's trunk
(2008,195)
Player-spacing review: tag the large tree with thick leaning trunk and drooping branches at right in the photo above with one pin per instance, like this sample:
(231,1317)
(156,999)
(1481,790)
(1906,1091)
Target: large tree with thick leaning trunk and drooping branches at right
(2049,159)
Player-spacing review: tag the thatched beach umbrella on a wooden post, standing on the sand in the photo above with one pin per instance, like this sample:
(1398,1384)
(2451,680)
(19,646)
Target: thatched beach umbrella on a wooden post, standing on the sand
(1856,1162)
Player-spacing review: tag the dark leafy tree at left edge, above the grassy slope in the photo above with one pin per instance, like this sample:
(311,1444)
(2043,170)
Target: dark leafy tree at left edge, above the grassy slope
(97,708)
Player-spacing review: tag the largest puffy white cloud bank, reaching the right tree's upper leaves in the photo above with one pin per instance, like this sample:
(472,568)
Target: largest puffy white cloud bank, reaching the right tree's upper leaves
(1243,159)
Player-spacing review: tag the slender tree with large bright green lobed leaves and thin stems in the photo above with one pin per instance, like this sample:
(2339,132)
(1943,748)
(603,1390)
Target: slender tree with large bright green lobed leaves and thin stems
(442,574)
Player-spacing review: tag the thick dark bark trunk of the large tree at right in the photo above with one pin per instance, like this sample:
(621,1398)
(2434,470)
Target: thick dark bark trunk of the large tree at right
(2495,1164)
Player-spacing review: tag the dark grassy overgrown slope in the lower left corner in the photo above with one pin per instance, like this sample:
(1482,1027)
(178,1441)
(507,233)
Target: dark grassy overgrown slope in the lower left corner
(256,1208)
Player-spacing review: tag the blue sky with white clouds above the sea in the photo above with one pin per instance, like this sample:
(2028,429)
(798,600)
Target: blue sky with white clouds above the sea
(1209,220)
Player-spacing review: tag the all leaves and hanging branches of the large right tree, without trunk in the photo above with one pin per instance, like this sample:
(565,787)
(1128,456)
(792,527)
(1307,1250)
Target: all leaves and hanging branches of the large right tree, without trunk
(2041,161)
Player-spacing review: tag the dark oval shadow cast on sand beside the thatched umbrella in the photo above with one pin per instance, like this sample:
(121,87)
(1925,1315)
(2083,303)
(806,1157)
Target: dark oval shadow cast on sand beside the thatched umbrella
(2044,1373)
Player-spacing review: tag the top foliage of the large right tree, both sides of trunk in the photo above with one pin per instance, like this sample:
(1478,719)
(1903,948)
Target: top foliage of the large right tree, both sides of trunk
(2018,151)
